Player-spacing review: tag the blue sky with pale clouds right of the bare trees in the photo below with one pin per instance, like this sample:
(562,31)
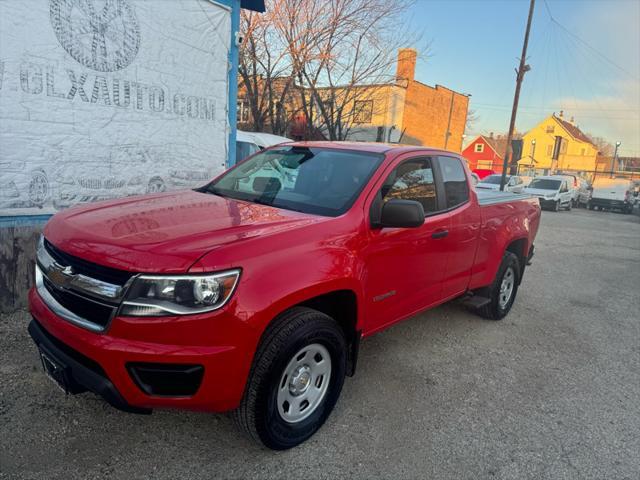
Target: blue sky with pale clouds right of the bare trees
(586,63)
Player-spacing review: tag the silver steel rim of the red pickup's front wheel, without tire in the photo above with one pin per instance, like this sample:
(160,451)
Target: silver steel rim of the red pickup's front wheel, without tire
(304,383)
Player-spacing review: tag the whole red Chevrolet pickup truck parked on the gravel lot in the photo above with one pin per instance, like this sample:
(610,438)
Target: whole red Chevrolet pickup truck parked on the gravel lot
(253,292)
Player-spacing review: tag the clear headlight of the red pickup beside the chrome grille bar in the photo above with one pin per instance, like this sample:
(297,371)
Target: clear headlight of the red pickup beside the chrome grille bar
(152,296)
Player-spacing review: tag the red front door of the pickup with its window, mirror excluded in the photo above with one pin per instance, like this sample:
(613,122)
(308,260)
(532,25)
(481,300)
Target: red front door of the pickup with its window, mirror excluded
(406,266)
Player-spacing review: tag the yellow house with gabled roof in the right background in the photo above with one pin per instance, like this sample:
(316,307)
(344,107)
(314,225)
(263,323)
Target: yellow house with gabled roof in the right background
(555,145)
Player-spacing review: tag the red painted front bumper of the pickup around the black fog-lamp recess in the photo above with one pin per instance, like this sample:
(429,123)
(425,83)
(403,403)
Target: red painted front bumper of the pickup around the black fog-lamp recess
(221,344)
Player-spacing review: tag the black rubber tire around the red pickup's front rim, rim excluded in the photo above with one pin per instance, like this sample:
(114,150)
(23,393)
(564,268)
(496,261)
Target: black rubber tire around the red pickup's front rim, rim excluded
(258,414)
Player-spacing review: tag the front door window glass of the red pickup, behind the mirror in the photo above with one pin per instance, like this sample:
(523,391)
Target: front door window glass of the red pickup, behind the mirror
(412,180)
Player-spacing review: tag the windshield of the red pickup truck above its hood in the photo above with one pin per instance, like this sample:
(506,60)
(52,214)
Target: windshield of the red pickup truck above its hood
(311,180)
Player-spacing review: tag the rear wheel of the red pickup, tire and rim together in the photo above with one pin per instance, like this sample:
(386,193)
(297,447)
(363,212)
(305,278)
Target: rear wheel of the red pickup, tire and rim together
(502,292)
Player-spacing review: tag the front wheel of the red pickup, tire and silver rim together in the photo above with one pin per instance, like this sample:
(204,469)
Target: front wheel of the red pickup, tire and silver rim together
(295,380)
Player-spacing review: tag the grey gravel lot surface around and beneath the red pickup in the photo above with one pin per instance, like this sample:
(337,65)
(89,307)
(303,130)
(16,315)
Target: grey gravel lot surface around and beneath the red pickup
(551,392)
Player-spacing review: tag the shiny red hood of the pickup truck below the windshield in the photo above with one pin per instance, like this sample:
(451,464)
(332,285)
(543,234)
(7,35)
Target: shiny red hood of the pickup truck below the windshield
(164,233)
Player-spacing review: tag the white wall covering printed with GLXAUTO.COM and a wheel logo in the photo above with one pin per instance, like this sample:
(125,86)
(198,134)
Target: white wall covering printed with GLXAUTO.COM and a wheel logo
(107,98)
